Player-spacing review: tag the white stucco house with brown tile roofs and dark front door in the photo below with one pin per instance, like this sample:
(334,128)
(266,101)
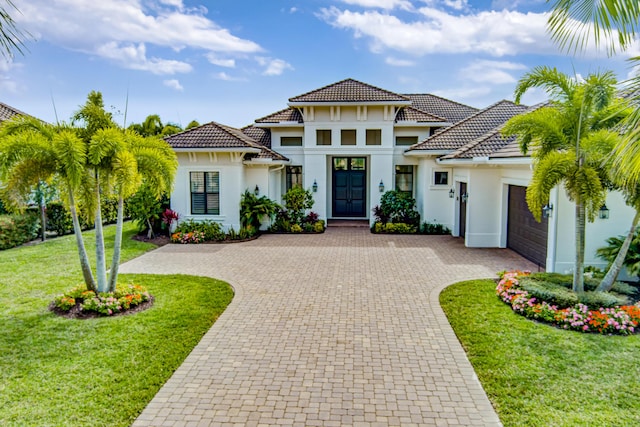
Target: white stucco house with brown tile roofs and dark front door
(351,141)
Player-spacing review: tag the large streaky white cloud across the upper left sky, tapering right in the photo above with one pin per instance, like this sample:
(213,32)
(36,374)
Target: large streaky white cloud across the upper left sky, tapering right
(88,26)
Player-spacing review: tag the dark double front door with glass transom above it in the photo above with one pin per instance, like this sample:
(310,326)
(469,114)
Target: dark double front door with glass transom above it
(349,187)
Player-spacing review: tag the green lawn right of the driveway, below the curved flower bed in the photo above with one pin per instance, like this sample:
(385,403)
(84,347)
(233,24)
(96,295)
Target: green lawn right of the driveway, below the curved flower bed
(538,375)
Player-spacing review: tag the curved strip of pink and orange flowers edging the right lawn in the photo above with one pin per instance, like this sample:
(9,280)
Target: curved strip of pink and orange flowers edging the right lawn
(619,320)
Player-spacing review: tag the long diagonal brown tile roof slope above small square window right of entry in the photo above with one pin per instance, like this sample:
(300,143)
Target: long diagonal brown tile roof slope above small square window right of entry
(471,128)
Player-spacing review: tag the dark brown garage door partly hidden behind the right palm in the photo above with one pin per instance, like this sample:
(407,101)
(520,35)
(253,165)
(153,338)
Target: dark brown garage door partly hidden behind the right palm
(525,235)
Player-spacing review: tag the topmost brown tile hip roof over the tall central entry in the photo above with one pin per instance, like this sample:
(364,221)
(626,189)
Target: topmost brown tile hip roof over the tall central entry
(349,90)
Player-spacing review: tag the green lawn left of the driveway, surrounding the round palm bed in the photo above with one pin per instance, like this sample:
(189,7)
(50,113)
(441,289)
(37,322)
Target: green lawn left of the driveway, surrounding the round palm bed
(102,372)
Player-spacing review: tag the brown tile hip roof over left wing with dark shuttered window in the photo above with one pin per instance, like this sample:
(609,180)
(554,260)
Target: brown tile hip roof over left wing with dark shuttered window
(217,136)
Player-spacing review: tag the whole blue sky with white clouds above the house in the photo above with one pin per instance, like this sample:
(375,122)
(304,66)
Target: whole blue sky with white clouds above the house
(234,61)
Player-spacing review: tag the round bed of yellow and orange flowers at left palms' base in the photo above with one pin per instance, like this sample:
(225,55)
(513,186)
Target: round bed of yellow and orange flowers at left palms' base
(80,302)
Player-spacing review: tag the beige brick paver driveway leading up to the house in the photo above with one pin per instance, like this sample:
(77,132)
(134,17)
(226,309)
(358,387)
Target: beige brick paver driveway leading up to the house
(342,328)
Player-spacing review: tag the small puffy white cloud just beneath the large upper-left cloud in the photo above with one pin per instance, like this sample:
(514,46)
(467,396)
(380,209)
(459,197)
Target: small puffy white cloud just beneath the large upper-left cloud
(134,57)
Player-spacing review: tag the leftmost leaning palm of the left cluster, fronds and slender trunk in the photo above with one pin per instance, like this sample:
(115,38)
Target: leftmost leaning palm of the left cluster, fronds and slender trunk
(32,151)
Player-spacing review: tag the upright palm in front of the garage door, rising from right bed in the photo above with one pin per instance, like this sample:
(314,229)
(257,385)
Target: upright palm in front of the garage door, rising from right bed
(569,139)
